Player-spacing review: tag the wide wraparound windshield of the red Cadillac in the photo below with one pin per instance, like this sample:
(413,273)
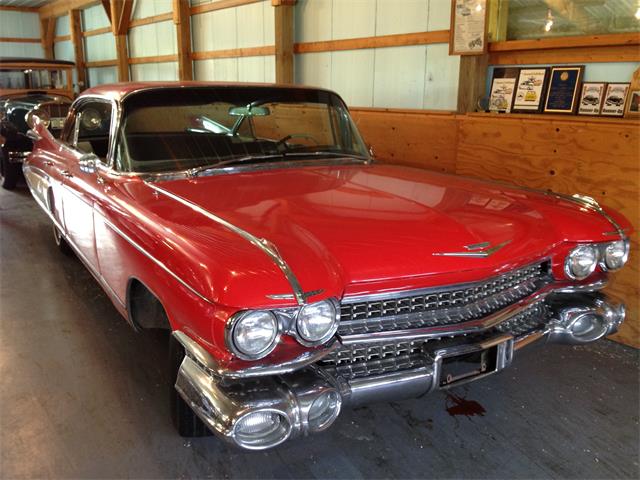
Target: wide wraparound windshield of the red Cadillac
(173,129)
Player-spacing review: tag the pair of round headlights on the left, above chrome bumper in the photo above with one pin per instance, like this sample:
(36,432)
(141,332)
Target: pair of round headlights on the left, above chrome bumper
(253,334)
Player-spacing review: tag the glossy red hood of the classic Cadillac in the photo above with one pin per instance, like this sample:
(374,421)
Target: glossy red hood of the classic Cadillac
(360,227)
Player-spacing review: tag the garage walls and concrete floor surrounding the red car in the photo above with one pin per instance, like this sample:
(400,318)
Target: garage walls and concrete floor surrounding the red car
(84,396)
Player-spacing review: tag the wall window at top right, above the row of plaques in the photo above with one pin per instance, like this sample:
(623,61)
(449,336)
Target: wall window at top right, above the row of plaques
(528,19)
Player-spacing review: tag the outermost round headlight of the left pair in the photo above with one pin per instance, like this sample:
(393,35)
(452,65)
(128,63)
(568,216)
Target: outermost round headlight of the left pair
(253,334)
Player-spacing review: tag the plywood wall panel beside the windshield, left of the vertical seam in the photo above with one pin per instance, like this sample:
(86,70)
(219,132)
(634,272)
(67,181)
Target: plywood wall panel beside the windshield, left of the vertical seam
(416,138)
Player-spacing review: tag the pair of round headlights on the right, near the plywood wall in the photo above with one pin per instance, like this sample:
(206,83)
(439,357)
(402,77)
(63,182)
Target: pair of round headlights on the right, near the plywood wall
(583,259)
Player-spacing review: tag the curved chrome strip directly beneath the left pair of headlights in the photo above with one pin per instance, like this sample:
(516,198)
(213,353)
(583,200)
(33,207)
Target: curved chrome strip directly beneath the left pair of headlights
(206,360)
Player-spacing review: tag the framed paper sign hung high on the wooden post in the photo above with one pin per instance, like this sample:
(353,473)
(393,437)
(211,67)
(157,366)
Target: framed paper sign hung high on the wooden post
(468,32)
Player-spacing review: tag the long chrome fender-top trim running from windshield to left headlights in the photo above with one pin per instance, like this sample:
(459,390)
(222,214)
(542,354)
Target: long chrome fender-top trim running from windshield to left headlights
(263,244)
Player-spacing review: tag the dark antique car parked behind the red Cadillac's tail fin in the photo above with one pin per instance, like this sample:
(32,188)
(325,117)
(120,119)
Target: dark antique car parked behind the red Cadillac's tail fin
(27,84)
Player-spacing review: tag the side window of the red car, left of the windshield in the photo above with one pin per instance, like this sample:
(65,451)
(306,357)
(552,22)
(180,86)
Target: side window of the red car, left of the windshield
(91,128)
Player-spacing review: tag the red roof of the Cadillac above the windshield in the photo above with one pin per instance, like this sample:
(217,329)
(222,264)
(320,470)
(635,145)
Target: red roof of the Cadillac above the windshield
(117,91)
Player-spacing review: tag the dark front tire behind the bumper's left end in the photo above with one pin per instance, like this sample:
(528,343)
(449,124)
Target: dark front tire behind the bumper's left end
(184,418)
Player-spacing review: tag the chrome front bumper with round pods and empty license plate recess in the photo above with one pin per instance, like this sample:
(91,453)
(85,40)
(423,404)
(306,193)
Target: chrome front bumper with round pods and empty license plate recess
(294,399)
